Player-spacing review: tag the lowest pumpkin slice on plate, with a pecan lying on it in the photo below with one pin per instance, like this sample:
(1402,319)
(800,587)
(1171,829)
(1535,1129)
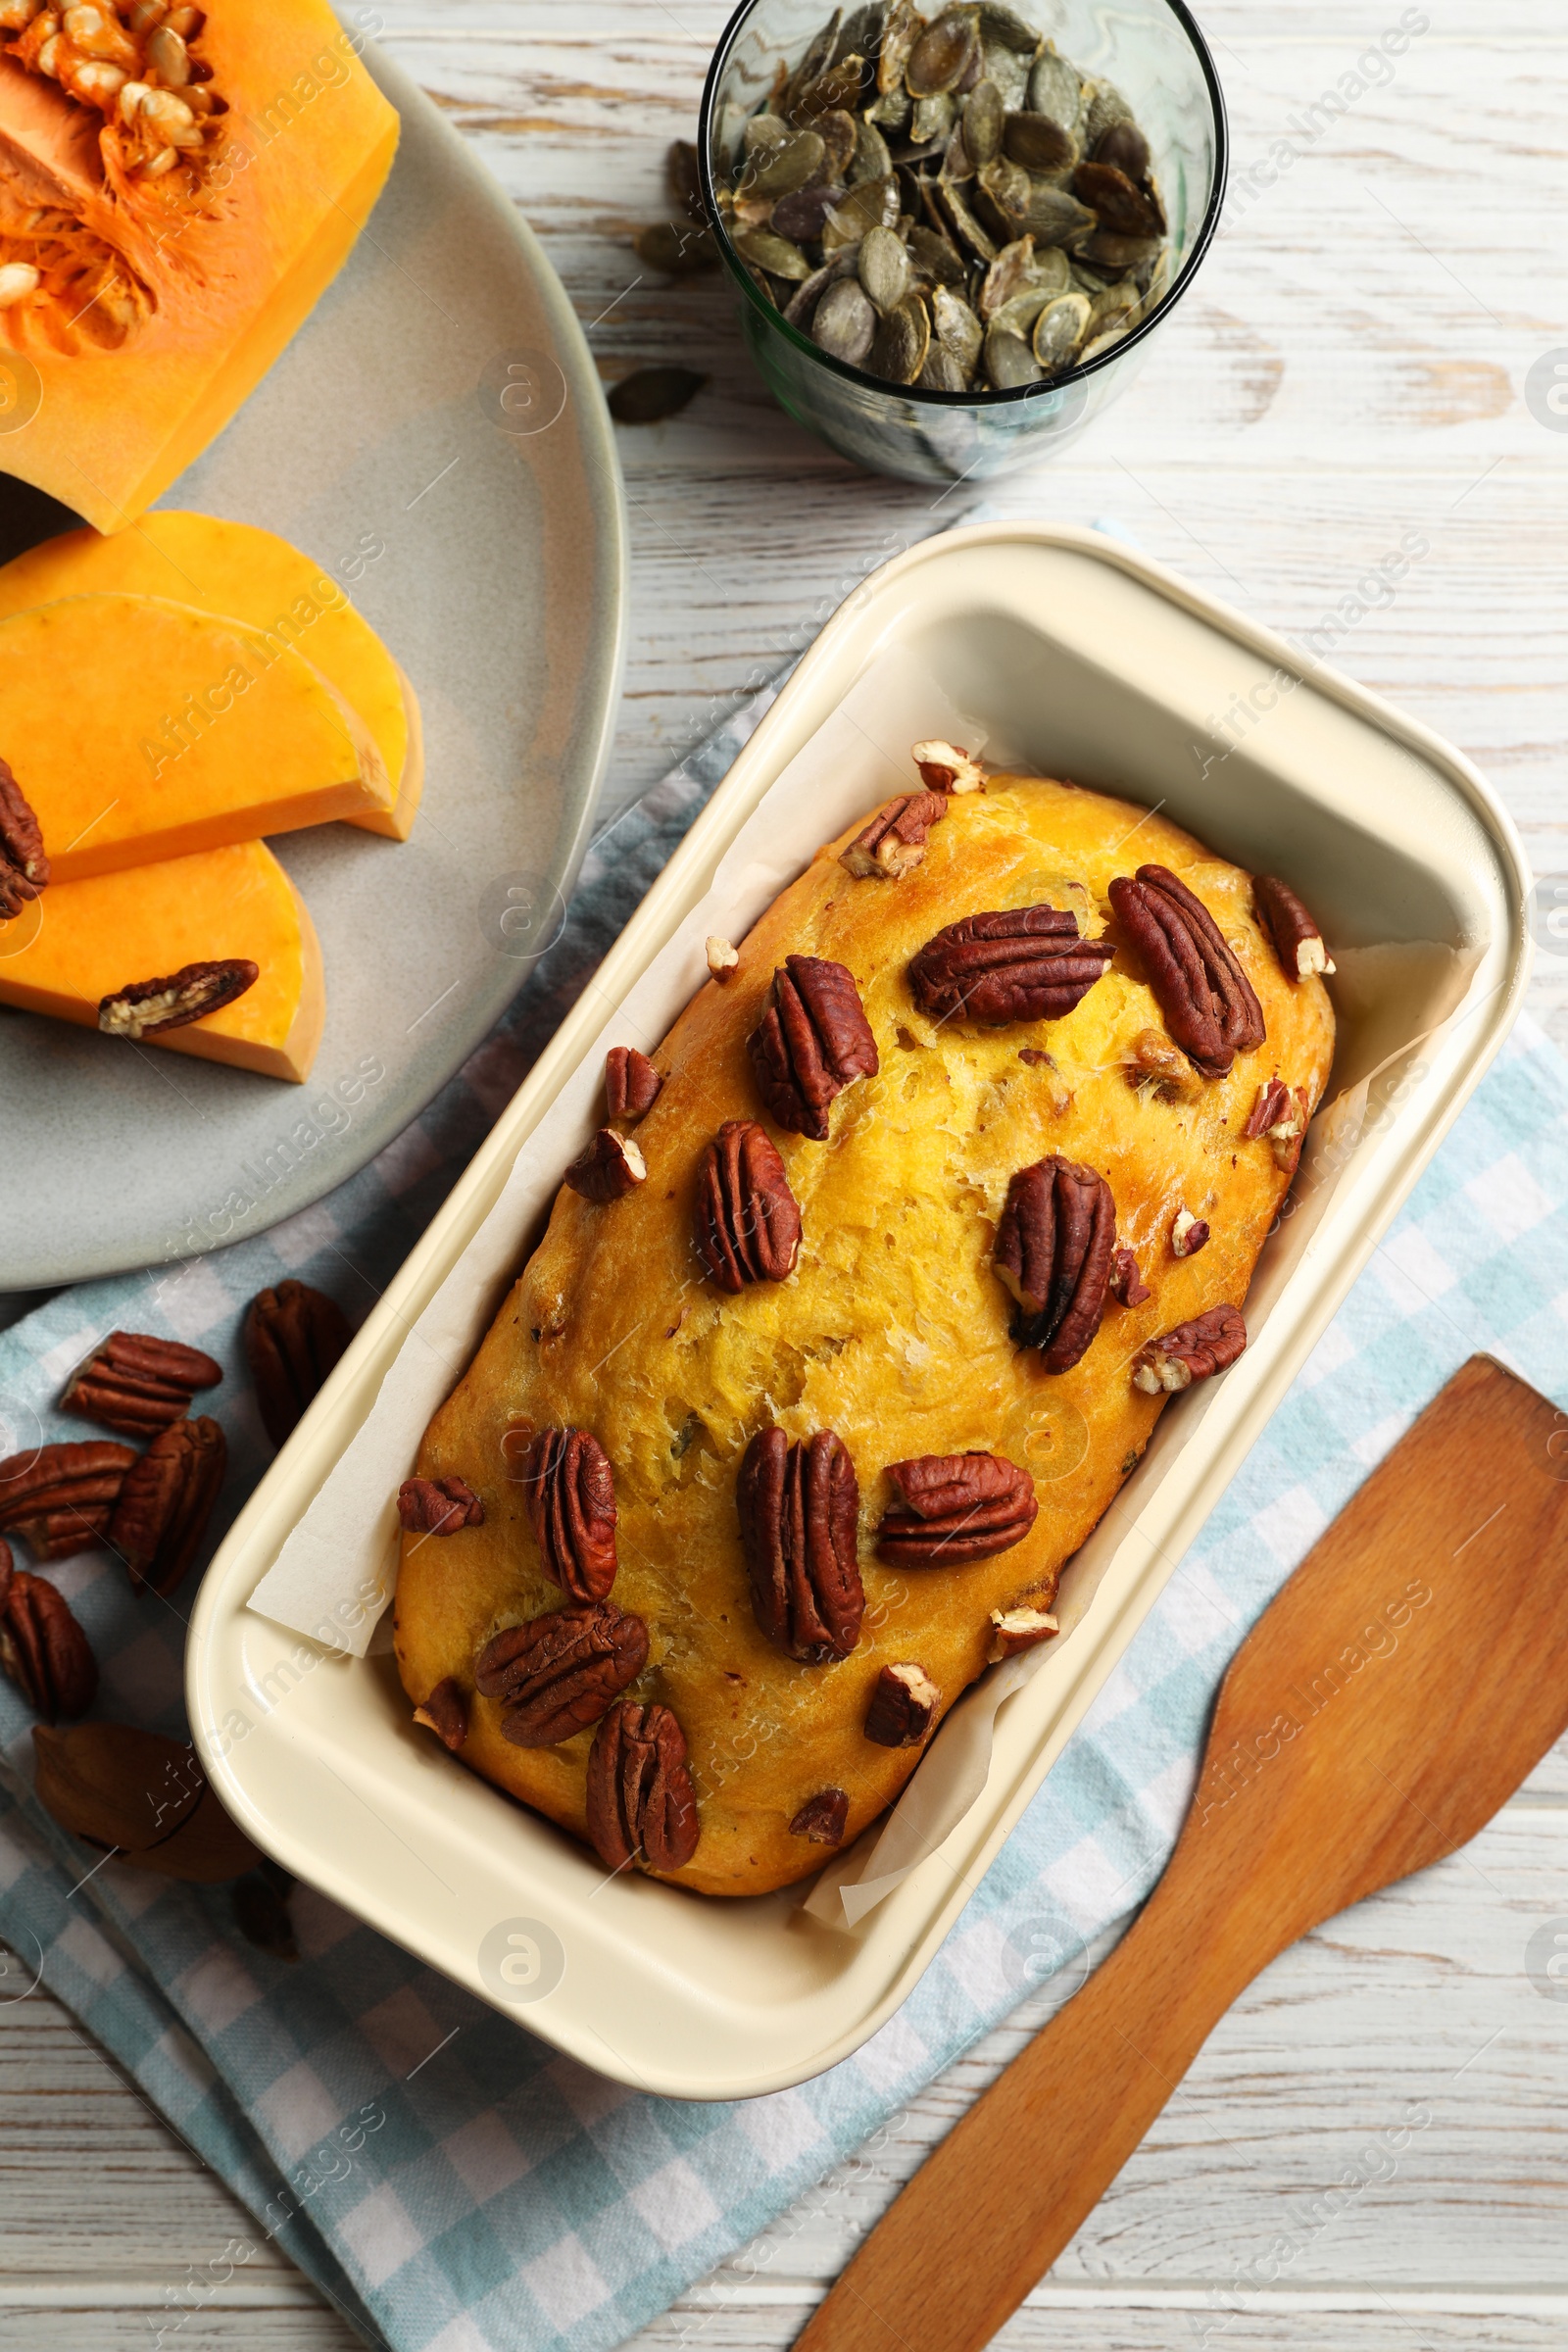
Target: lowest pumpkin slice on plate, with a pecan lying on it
(81,942)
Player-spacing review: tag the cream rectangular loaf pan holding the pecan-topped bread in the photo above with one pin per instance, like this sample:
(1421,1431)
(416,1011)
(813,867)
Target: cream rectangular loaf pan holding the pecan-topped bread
(1087,662)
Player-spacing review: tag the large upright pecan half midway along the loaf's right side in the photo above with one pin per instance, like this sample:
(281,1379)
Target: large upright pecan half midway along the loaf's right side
(1054,1255)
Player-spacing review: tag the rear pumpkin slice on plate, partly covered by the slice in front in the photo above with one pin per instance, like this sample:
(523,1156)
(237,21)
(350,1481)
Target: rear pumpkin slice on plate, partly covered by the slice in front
(241,573)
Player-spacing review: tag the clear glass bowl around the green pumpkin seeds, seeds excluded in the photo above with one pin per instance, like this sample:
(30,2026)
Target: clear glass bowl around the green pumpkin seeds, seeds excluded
(1158,58)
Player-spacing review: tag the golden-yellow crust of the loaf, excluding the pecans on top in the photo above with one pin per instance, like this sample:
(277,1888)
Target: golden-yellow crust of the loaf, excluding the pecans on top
(892,1332)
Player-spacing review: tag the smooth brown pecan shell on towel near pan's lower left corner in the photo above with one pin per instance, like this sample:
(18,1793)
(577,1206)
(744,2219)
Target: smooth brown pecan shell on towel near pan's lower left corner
(140,1796)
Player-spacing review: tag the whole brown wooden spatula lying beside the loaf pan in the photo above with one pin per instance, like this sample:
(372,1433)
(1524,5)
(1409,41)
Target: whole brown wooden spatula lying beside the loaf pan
(1402,1685)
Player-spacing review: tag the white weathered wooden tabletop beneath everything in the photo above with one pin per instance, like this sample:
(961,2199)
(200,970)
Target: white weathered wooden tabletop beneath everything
(1351,368)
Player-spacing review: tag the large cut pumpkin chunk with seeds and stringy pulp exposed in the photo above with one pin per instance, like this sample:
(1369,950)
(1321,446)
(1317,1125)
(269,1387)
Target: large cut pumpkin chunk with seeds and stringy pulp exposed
(177,189)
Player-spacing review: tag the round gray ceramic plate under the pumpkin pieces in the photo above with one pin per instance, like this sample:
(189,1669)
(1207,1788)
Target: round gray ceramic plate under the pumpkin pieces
(438,441)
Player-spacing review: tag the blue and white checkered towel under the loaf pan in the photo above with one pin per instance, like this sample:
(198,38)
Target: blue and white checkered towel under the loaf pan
(443,2177)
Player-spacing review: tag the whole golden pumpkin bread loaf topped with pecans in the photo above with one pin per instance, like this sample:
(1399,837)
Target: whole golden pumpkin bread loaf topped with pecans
(855,1318)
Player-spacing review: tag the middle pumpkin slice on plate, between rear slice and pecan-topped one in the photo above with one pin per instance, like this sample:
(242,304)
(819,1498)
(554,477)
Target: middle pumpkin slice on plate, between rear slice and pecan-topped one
(147,730)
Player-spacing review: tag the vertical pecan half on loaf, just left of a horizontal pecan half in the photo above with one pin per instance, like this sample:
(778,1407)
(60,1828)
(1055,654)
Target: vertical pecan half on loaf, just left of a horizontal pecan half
(800,1509)
